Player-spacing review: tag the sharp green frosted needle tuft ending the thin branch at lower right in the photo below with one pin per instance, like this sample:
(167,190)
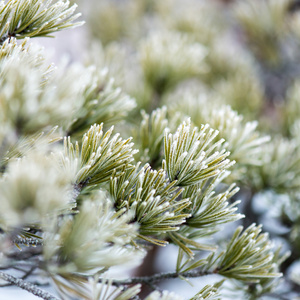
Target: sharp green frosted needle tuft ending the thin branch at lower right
(248,257)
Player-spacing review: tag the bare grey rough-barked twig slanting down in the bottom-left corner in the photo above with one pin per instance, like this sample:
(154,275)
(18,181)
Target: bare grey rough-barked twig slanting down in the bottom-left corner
(29,287)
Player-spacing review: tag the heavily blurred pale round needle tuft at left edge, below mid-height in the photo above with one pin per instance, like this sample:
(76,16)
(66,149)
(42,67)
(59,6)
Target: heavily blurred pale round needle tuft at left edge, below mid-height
(32,188)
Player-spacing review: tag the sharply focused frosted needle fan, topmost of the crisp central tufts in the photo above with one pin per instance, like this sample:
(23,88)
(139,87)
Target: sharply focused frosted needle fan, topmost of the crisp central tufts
(191,156)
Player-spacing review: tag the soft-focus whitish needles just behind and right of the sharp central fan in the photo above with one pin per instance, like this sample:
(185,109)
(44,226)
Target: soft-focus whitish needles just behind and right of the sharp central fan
(242,139)
